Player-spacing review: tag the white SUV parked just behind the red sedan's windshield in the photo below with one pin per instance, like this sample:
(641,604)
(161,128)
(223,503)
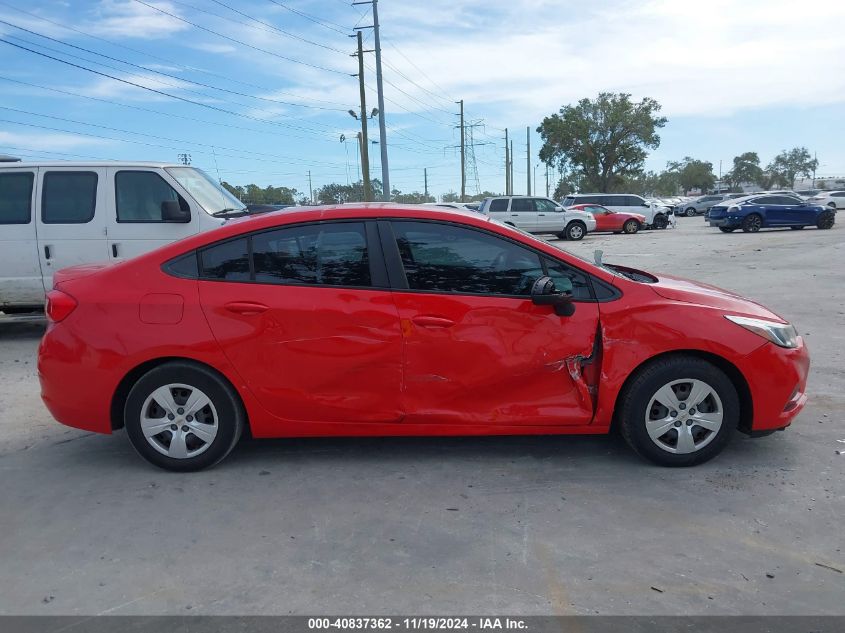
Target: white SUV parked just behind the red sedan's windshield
(539,215)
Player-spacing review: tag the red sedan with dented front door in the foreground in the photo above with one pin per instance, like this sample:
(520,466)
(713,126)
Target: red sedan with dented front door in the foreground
(391,320)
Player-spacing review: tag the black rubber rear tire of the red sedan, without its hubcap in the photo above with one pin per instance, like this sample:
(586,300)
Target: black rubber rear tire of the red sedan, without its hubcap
(224,401)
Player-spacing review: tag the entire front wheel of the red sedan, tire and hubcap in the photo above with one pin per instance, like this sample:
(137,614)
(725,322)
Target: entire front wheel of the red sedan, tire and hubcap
(679,411)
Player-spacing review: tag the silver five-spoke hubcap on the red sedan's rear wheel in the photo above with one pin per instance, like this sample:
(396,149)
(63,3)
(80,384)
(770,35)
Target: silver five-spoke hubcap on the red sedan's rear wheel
(179,421)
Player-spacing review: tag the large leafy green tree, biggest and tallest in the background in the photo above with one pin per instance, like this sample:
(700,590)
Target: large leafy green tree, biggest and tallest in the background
(603,140)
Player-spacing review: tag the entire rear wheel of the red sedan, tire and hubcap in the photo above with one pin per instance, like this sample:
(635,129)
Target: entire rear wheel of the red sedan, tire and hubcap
(183,417)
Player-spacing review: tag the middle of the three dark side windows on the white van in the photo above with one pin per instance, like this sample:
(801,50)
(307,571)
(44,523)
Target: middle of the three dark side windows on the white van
(69,197)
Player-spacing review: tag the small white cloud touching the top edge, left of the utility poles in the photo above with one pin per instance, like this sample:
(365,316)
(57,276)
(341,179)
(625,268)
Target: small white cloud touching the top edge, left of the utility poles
(124,18)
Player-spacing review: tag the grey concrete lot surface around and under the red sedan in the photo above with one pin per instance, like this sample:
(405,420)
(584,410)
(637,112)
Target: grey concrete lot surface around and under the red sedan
(569,525)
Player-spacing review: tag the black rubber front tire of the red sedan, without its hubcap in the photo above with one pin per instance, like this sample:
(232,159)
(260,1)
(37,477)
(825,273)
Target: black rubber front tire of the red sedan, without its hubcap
(638,393)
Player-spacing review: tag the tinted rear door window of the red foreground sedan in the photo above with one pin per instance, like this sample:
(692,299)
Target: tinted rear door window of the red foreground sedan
(330,254)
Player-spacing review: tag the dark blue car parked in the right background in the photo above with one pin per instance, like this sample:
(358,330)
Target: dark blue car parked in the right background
(763,211)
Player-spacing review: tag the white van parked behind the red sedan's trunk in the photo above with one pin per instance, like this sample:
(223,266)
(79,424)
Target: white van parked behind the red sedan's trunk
(59,214)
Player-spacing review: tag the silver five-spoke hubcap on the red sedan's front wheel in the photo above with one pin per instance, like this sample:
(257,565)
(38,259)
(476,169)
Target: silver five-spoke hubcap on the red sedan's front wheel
(684,416)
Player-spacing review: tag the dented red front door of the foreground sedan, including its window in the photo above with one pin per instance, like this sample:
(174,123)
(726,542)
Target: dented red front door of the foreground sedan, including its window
(477,351)
